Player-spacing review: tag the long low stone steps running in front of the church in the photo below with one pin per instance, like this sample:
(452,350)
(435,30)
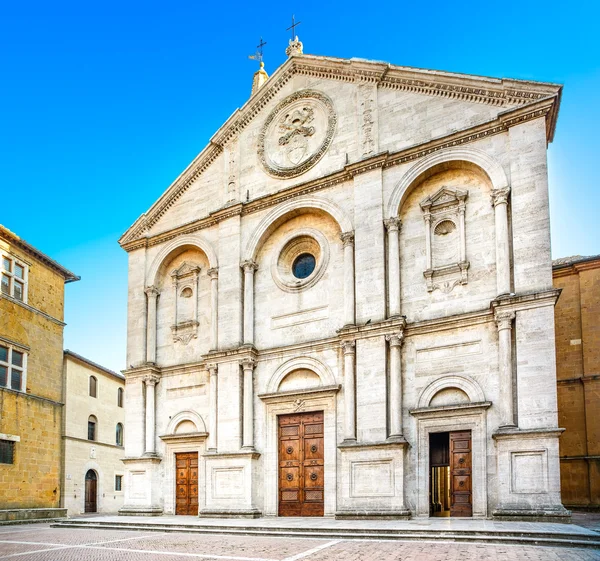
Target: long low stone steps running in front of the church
(473,536)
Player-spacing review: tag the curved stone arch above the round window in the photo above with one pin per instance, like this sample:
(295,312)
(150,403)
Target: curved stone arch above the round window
(294,206)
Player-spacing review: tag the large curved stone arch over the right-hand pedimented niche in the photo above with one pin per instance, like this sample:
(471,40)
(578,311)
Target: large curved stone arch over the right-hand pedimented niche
(486,163)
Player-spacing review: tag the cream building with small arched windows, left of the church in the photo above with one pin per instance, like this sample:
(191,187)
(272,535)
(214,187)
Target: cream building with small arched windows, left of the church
(93,436)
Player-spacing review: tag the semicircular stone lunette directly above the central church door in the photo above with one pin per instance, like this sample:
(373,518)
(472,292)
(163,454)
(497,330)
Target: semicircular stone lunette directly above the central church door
(297,374)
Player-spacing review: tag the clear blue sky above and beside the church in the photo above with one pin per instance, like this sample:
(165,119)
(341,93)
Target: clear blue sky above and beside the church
(105,103)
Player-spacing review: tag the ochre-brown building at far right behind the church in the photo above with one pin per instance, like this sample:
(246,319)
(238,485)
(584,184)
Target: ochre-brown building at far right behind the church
(577,321)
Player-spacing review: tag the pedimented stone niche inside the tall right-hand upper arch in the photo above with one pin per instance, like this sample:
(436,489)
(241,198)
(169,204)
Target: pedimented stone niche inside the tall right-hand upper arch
(445,239)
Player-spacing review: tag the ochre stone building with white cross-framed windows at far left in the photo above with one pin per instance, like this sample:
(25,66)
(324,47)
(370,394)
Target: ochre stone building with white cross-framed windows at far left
(31,380)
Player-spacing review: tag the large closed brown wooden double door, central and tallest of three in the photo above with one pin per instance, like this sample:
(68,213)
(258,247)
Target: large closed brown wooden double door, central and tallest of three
(301,465)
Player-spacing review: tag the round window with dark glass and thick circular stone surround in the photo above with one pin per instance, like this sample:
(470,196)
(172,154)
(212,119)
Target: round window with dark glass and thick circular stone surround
(300,260)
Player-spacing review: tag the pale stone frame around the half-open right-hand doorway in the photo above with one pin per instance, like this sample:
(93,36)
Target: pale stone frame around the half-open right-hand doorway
(471,417)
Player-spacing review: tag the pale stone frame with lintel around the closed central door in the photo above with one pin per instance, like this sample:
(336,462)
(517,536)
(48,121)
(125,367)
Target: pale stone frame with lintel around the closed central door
(322,398)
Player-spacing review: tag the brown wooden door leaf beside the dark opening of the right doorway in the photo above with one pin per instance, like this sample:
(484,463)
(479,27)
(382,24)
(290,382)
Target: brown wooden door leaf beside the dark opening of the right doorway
(460,474)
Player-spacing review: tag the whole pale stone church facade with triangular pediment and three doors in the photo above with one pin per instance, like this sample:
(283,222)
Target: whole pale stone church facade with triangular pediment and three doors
(344,305)
